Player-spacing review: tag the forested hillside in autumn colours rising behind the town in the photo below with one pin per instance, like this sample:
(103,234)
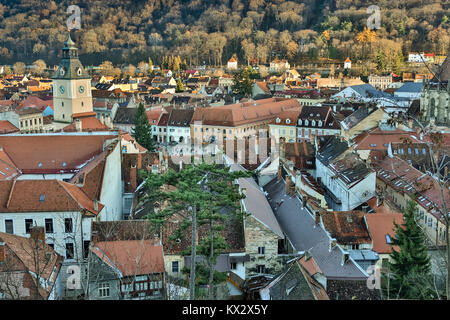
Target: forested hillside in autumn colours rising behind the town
(212,31)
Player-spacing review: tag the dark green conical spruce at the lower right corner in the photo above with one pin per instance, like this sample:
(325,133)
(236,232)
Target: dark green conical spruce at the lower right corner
(409,272)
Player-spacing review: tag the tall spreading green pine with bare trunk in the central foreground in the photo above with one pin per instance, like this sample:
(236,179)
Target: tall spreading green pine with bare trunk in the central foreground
(199,193)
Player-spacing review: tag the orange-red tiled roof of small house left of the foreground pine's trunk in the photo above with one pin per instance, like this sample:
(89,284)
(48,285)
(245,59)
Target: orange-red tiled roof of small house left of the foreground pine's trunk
(131,257)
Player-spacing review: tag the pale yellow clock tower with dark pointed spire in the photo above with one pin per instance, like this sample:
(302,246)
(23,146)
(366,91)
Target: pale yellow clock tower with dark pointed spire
(71,86)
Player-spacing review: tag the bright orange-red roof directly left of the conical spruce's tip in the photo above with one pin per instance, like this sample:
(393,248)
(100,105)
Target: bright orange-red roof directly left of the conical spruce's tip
(380,225)
